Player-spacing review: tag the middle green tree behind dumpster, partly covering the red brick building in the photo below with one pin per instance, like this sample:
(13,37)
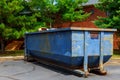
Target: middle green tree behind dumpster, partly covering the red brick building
(58,11)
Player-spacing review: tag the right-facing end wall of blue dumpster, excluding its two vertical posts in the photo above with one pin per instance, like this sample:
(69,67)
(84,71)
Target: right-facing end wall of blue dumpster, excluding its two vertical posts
(93,47)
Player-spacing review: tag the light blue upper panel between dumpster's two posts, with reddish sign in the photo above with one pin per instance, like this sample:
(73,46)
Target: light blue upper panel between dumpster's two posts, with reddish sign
(93,43)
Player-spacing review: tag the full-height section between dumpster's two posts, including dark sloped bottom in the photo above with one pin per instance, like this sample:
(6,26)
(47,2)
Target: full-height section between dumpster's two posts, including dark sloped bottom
(92,49)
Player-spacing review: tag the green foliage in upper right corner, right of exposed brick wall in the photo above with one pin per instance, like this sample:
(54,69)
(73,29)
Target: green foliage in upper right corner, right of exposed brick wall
(112,7)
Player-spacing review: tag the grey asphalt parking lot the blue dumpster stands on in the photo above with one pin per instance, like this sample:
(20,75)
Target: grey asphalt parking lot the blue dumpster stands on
(21,70)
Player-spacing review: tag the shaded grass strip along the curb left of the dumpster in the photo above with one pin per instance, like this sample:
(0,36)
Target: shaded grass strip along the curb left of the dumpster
(12,53)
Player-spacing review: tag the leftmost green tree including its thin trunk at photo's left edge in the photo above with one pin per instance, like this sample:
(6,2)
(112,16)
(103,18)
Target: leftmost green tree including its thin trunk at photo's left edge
(13,24)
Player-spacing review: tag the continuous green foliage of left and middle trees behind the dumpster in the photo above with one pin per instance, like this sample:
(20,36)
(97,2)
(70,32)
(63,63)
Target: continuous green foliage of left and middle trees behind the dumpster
(20,16)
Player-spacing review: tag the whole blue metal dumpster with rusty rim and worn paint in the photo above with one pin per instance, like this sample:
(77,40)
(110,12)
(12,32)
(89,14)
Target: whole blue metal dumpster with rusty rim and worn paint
(80,47)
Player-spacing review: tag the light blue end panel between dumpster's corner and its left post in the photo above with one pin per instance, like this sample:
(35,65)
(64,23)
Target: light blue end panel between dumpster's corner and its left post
(77,43)
